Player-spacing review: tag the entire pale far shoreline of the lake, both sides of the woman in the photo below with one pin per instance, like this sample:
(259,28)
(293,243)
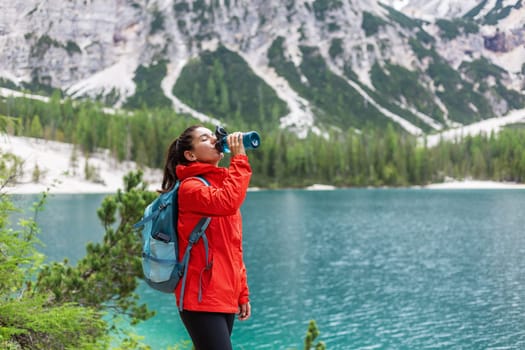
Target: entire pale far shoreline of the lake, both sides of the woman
(62,169)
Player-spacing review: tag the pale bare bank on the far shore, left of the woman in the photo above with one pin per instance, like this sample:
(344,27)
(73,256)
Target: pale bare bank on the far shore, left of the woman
(62,169)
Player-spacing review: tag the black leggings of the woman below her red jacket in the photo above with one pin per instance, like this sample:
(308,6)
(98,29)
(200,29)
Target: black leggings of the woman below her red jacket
(209,330)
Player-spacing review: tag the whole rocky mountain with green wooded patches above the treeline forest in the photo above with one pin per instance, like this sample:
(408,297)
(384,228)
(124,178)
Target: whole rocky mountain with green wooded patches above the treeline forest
(304,65)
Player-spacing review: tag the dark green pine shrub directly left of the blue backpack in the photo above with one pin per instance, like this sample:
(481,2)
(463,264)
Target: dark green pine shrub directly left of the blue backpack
(106,278)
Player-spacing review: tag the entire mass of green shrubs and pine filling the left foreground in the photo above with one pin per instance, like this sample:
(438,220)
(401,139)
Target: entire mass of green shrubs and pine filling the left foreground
(59,306)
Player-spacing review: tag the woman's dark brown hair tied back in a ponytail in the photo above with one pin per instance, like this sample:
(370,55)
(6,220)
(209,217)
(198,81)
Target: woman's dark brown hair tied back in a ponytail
(175,156)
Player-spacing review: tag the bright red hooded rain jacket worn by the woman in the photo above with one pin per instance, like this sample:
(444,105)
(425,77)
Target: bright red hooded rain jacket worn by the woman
(224,286)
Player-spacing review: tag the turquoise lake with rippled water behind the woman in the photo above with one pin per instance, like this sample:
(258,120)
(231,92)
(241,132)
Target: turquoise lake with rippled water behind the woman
(376,268)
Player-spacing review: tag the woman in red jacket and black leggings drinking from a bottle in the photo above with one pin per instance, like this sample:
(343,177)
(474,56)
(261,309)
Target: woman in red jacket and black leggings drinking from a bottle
(216,289)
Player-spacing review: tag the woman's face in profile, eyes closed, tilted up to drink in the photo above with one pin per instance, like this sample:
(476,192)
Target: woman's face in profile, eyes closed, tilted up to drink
(204,150)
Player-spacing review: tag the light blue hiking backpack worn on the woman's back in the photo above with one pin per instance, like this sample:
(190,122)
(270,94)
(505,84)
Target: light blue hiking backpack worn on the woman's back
(160,247)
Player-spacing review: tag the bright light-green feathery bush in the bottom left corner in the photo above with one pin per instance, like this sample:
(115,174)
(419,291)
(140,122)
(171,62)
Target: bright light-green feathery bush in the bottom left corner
(31,318)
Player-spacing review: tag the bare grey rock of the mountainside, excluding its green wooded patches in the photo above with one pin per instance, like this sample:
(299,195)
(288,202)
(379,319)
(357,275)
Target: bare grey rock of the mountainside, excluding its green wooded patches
(94,48)
